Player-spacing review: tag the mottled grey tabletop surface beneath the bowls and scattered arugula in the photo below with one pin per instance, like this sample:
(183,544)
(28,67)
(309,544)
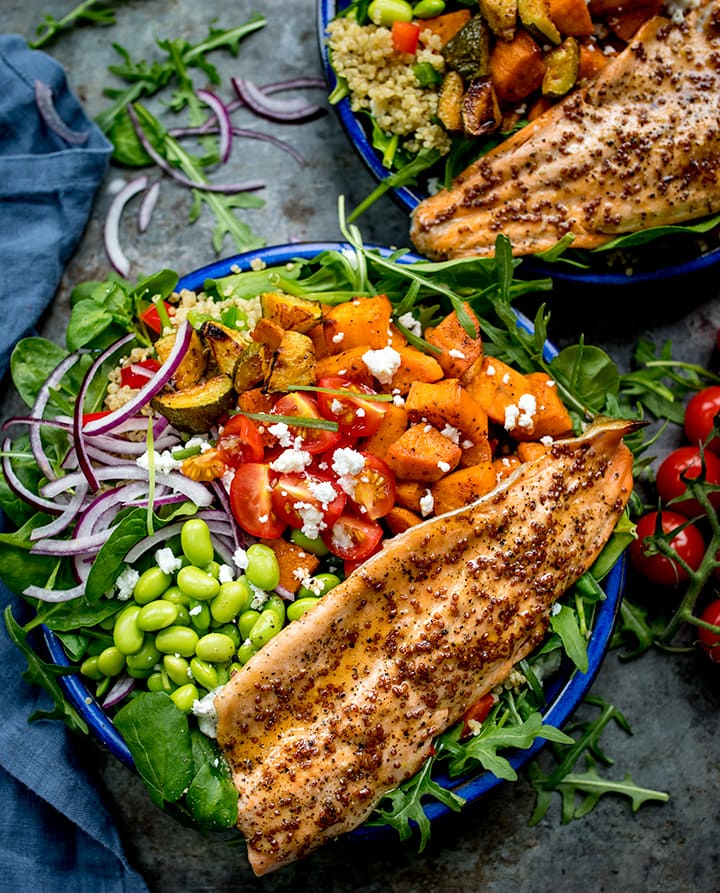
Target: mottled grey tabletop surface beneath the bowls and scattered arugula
(670,700)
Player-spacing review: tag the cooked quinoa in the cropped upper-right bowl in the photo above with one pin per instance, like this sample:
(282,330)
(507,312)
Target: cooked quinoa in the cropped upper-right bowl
(382,82)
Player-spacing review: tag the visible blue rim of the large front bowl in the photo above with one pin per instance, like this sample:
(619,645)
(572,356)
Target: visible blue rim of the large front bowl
(564,691)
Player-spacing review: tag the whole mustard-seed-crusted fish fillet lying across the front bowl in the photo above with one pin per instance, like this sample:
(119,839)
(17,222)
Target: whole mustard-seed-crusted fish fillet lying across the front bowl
(343,704)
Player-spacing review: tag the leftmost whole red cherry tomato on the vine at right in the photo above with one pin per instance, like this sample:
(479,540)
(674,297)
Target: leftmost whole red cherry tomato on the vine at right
(687,543)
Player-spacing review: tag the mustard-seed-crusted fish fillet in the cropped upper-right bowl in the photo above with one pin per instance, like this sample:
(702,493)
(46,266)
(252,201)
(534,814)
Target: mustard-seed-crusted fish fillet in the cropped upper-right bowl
(637,147)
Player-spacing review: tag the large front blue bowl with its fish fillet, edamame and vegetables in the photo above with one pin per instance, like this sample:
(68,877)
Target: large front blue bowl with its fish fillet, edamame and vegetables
(215,473)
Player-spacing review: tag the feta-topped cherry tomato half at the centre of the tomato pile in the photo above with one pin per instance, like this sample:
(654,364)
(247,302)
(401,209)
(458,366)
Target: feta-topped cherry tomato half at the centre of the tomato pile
(298,498)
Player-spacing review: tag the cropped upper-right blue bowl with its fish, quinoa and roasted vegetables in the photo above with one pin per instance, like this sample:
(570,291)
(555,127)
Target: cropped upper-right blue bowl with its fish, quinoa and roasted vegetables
(452,104)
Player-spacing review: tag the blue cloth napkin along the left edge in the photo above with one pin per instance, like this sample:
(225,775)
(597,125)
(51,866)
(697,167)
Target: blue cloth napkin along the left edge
(55,832)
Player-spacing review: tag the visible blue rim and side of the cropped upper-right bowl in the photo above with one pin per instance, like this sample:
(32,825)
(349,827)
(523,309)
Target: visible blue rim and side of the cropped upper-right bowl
(408,197)
